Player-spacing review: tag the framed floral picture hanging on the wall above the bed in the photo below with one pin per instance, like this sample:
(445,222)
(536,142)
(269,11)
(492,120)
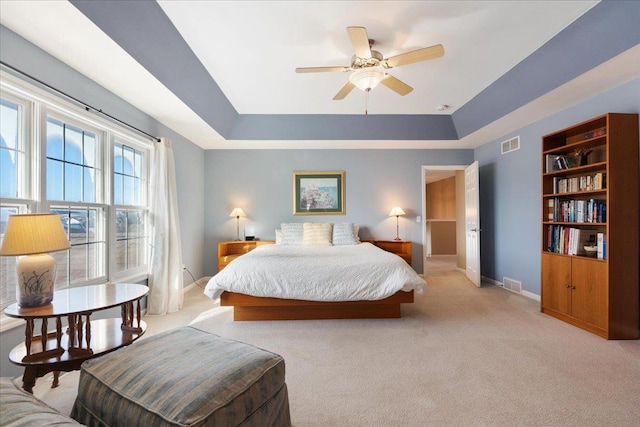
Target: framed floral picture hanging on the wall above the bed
(318,193)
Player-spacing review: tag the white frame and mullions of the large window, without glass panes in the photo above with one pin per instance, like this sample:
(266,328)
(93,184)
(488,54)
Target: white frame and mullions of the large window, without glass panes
(38,105)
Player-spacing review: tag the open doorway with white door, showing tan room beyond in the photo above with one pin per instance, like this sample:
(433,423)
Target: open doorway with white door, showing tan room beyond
(450,231)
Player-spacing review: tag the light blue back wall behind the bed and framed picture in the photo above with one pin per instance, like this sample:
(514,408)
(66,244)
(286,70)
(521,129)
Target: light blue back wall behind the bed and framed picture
(260,182)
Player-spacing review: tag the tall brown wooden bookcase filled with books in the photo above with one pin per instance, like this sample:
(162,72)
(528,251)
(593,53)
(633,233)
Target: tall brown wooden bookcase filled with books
(597,196)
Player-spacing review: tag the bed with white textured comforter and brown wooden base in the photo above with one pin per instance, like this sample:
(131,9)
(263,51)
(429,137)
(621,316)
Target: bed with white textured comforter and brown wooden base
(294,280)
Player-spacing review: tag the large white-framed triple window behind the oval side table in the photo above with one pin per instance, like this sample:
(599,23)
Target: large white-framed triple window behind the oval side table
(87,170)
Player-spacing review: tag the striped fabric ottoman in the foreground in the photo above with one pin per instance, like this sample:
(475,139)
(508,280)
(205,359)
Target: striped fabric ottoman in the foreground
(184,377)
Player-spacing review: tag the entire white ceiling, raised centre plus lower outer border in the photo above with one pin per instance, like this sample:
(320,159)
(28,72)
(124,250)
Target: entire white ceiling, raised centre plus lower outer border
(251,49)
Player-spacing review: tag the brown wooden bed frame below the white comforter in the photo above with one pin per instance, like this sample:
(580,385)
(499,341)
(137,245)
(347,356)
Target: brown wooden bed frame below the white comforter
(246,307)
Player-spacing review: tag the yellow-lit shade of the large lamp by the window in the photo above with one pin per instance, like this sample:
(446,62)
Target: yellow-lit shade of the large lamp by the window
(29,234)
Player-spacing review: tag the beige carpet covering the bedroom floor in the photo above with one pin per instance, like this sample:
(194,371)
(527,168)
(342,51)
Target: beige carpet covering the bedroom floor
(460,356)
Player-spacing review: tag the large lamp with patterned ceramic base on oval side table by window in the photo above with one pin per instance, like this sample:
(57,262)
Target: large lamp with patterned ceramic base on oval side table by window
(32,235)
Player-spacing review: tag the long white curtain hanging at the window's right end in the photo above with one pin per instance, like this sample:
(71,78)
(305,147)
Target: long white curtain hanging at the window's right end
(165,266)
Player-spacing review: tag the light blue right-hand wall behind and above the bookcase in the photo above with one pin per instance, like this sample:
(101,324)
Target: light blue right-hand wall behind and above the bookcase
(510,188)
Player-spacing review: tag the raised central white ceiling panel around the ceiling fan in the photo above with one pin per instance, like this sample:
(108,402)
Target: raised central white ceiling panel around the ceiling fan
(255,68)
